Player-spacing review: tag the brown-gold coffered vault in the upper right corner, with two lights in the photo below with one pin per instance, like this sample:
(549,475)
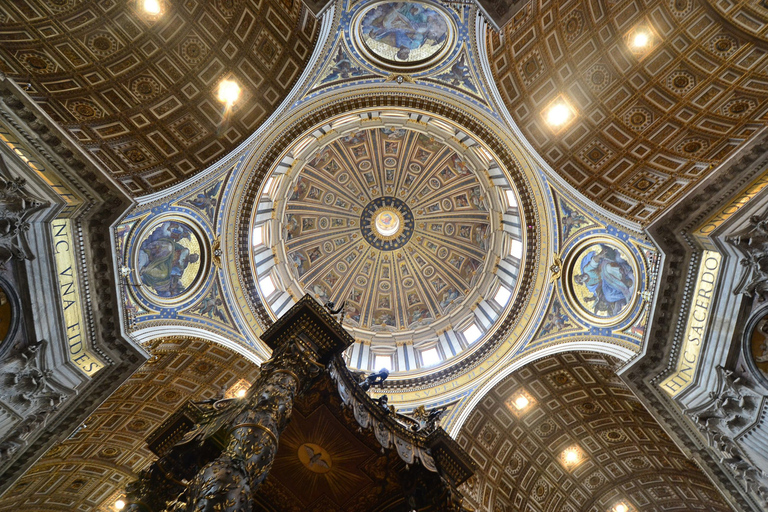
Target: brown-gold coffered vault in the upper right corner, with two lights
(648,127)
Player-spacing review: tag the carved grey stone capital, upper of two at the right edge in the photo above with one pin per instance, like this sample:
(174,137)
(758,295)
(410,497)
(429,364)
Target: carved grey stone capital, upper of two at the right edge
(752,243)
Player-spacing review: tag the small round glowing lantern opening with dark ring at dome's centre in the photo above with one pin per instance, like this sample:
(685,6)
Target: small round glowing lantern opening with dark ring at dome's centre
(387,223)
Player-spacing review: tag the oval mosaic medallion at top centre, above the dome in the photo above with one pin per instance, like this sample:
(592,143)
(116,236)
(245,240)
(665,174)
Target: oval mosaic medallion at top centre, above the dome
(404,34)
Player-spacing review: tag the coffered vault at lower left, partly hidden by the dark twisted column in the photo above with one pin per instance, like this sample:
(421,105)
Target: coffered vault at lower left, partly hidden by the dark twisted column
(89,470)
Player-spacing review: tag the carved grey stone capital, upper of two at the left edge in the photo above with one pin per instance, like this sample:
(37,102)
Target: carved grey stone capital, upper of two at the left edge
(16,209)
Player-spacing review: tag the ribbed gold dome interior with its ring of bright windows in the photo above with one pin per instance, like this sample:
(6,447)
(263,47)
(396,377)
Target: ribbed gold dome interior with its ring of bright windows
(402,224)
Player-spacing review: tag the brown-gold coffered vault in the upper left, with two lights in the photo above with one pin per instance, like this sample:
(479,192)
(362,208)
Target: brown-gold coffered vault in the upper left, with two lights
(139,93)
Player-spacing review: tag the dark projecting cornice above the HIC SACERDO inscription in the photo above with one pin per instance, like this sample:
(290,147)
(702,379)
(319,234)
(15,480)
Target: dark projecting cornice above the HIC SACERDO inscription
(672,235)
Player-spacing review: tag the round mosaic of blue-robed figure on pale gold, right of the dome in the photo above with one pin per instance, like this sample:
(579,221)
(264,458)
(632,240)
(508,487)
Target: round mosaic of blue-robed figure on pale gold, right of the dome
(602,280)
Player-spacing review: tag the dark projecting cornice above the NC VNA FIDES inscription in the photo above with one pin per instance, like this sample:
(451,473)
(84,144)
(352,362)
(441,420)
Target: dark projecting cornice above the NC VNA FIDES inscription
(106,203)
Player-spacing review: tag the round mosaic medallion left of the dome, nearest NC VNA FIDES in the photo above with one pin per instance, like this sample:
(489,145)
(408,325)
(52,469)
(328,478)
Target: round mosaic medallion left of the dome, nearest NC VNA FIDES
(169,259)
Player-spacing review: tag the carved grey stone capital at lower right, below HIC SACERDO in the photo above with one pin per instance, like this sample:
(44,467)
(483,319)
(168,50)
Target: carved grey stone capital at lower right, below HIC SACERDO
(728,413)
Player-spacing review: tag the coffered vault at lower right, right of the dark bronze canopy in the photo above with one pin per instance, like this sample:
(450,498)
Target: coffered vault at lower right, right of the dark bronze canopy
(576,400)
